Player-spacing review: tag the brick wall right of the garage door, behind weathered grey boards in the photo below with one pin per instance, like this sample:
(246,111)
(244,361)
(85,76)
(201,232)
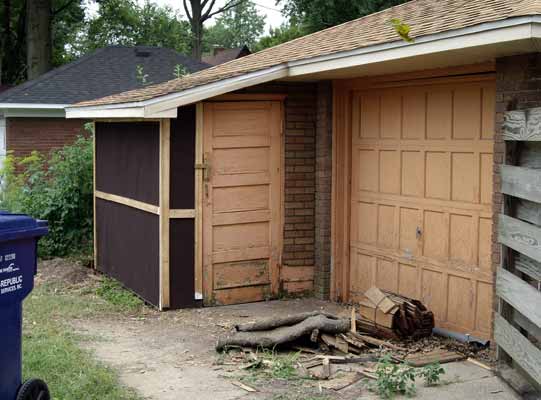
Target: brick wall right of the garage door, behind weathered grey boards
(518,86)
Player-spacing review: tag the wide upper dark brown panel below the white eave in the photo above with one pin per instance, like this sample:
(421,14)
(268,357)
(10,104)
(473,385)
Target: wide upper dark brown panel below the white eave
(127,159)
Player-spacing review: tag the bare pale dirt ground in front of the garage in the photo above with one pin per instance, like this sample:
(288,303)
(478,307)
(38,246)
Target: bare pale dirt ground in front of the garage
(171,356)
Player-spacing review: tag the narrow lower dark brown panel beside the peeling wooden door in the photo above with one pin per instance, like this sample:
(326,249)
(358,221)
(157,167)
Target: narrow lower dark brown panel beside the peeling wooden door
(181,269)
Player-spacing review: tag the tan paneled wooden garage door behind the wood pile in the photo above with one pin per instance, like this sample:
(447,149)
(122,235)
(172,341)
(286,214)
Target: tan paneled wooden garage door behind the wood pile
(421,197)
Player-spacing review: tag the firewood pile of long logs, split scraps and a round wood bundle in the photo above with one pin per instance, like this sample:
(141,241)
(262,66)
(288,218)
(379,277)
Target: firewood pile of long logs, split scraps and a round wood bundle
(383,316)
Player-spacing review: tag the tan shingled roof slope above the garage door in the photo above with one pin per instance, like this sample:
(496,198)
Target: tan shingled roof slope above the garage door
(425,17)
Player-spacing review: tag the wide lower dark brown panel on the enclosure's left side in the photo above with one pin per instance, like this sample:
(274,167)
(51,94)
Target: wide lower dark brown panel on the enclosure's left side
(128,247)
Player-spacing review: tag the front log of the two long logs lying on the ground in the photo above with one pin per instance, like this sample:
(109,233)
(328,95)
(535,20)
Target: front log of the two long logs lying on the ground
(284,334)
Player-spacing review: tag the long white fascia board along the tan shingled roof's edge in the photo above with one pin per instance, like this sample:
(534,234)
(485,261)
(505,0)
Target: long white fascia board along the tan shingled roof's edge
(508,30)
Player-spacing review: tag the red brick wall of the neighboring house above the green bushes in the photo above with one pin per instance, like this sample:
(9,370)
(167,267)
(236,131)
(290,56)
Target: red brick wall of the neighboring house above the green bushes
(23,135)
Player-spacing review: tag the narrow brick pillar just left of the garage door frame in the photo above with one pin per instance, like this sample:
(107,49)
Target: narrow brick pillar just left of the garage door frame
(322,273)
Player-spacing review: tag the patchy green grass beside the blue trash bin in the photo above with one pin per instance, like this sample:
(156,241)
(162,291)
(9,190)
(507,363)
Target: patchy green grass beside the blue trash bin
(52,352)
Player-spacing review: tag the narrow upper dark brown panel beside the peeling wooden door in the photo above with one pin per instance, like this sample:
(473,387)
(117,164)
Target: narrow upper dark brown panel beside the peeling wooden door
(183,158)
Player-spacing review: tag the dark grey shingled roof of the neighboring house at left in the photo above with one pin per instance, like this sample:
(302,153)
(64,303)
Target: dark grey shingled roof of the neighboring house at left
(104,72)
